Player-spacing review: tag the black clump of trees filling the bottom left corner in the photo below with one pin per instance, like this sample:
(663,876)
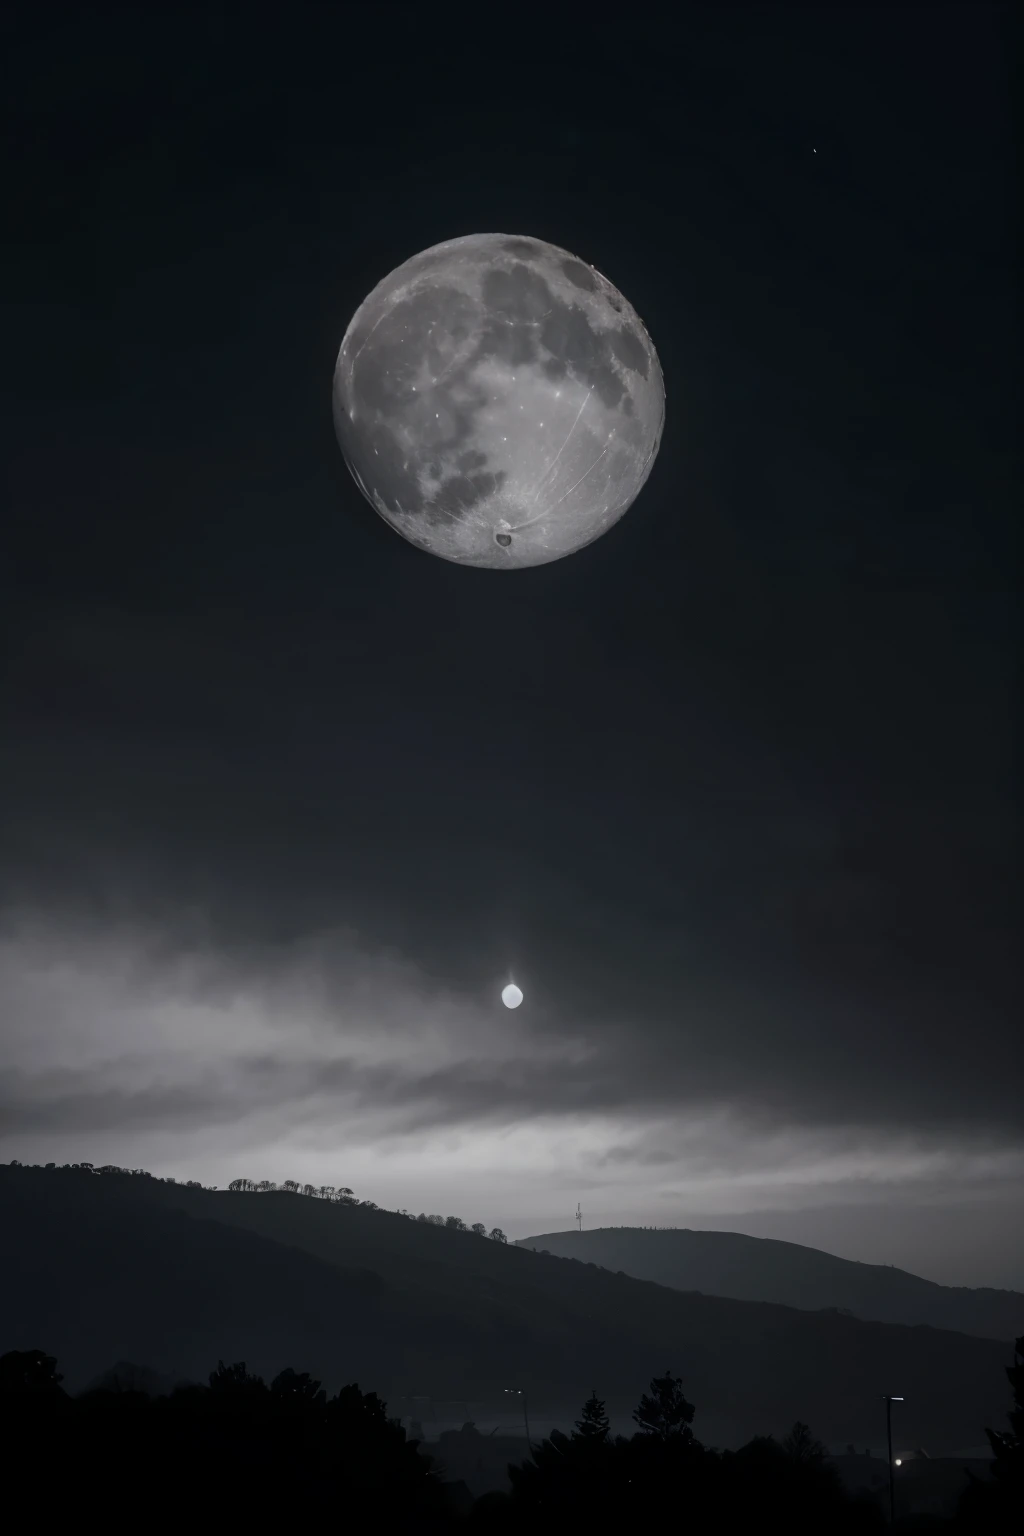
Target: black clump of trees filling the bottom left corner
(243,1455)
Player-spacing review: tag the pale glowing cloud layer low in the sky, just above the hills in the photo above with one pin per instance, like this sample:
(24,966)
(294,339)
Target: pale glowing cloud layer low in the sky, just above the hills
(329,1062)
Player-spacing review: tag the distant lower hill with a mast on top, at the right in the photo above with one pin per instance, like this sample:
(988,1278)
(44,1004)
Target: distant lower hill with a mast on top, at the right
(788,1274)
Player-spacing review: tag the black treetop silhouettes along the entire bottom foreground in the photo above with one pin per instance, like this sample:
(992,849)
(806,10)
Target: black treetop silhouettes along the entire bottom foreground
(243,1451)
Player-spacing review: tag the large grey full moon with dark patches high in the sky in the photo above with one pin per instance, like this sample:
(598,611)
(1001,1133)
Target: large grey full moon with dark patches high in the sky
(498,402)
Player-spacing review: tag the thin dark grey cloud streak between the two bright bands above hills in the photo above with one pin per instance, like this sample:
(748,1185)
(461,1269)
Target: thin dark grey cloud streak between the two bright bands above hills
(405,1099)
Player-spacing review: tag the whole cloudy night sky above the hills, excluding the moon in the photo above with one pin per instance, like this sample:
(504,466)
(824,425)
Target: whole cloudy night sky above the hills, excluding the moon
(283,799)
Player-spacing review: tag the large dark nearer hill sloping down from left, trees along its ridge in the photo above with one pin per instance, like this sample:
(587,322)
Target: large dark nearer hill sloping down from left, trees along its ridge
(127,1268)
